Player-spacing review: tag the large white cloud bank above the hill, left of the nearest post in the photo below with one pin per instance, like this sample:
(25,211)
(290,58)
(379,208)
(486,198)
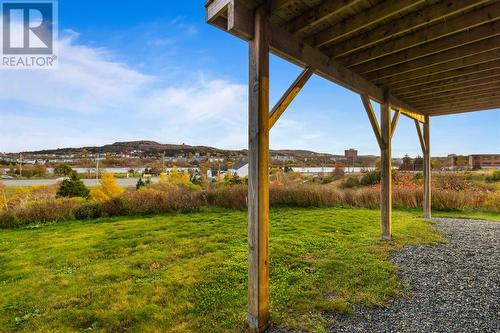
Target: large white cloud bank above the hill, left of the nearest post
(90,87)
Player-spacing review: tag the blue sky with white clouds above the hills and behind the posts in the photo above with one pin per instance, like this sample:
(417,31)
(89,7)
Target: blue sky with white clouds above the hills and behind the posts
(153,70)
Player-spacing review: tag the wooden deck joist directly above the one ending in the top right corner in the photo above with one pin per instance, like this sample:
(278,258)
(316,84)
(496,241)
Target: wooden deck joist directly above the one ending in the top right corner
(409,22)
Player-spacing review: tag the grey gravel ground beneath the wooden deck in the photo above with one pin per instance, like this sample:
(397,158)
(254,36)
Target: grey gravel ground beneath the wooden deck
(456,286)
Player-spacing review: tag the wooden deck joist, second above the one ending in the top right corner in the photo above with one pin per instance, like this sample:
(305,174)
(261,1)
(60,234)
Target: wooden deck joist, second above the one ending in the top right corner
(380,12)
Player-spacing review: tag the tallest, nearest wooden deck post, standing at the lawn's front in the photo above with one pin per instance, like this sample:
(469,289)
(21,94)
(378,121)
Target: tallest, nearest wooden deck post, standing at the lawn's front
(258,176)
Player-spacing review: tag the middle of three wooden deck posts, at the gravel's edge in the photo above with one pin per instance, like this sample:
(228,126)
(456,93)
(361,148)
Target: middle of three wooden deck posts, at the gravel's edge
(385,172)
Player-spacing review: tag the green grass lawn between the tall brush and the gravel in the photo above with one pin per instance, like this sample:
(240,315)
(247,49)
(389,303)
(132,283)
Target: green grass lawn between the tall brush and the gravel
(188,272)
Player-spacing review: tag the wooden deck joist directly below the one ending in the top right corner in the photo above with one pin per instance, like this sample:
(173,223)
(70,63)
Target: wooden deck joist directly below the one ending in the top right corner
(457,40)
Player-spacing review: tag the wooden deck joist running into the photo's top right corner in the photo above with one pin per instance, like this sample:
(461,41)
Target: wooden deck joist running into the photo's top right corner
(426,36)
